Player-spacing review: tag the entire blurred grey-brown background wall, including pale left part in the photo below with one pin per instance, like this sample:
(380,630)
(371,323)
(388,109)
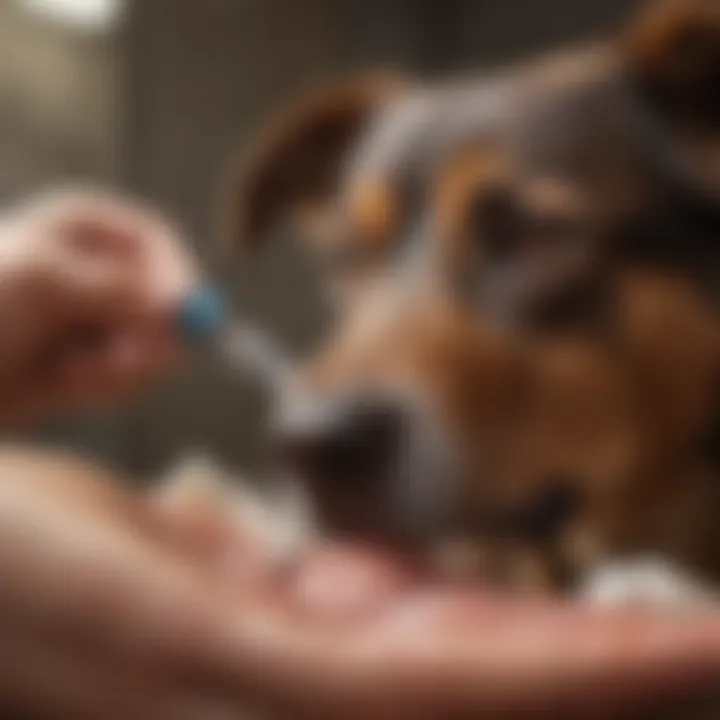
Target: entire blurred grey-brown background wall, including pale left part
(155,95)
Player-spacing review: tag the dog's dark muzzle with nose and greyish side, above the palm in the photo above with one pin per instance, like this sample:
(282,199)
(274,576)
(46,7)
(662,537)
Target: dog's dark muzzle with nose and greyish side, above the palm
(372,465)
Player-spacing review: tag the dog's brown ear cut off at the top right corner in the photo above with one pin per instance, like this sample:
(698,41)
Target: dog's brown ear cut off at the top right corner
(673,53)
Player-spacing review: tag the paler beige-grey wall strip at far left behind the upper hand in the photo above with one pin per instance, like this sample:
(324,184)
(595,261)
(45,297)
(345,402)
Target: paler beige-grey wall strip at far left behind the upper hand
(59,121)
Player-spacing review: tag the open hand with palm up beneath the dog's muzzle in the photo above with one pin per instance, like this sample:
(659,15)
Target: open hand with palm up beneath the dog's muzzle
(115,606)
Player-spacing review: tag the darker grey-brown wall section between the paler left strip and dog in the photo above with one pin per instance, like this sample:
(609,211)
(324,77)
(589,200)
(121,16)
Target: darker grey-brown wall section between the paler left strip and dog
(199,75)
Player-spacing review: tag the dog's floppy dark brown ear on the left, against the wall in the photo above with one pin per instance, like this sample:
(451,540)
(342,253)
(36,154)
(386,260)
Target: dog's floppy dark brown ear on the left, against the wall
(295,162)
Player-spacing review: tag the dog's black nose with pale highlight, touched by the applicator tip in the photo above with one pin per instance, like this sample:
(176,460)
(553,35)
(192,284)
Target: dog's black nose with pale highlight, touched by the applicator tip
(356,440)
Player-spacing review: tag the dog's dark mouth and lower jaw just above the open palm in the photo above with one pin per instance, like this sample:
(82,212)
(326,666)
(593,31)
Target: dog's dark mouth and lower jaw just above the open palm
(491,548)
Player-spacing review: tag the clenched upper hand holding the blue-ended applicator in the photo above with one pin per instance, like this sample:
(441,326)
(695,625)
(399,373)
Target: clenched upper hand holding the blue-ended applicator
(88,284)
